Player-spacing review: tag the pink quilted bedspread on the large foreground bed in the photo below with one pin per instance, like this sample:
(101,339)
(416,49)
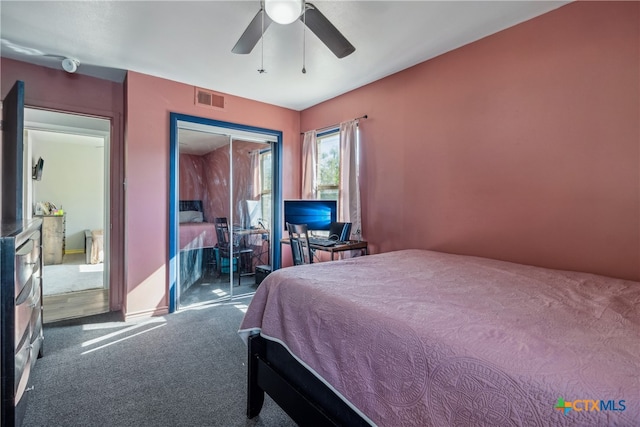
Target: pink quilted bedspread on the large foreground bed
(424,338)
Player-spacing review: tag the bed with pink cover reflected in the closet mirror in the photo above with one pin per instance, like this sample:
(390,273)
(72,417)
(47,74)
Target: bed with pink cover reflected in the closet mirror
(197,239)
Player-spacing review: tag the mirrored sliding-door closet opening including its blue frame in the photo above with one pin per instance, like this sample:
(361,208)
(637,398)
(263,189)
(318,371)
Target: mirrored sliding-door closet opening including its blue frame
(225,192)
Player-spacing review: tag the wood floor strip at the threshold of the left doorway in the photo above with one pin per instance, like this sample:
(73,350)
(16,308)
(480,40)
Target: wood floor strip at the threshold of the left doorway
(75,304)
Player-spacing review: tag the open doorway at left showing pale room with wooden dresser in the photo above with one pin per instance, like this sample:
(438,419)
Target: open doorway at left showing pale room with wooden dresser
(68,189)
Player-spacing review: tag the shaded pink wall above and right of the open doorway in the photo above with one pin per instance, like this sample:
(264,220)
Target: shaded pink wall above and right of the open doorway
(58,90)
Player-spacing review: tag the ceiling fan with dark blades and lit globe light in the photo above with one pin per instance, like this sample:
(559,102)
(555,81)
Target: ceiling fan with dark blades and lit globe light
(286,12)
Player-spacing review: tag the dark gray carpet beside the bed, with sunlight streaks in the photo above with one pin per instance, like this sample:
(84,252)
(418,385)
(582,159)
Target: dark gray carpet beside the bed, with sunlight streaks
(184,369)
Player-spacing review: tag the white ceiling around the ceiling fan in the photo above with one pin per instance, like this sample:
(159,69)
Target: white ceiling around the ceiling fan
(190,42)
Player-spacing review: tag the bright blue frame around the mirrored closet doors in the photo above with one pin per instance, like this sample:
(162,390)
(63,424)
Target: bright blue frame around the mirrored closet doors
(174,196)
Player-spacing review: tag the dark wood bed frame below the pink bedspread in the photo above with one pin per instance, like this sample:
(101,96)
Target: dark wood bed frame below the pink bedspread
(306,399)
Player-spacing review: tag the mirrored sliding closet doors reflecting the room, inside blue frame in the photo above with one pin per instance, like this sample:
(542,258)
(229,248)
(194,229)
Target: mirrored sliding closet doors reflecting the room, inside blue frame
(225,208)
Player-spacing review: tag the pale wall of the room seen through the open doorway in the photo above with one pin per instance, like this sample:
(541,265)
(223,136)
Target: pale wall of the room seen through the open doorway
(73,177)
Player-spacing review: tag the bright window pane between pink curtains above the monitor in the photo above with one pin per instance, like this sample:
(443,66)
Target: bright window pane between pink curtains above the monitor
(328,170)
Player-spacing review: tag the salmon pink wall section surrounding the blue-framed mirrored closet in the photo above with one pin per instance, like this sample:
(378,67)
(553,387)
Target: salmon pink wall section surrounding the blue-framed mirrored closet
(149,102)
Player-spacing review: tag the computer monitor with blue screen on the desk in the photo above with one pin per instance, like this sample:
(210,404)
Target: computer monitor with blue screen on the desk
(317,214)
